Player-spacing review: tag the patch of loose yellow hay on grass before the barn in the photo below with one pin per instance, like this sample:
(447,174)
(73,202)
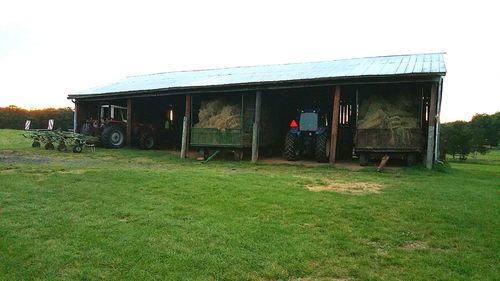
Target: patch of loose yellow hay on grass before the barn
(348,187)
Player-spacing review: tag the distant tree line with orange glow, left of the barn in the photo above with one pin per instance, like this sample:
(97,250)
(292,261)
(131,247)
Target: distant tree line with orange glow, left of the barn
(13,117)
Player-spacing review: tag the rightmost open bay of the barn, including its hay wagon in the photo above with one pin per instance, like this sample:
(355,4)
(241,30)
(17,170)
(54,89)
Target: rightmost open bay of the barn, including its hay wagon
(392,118)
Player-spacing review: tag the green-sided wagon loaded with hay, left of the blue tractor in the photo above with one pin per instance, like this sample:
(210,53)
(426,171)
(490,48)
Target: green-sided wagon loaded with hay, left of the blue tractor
(226,123)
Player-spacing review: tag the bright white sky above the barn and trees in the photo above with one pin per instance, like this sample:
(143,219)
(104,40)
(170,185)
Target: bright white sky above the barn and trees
(49,49)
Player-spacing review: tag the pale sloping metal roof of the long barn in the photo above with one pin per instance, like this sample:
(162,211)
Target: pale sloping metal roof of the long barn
(398,65)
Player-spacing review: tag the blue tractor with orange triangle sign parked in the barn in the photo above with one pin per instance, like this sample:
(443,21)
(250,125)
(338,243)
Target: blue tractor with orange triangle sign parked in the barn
(308,136)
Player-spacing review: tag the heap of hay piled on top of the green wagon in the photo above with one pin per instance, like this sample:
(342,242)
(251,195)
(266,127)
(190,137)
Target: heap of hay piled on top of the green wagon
(219,114)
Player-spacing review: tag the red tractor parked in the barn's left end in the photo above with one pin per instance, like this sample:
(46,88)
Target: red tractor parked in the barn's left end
(111,127)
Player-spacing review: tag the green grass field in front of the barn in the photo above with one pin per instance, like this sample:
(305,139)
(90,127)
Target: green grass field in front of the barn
(147,215)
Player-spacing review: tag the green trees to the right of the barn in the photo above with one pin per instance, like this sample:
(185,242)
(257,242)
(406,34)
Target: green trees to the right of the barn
(461,138)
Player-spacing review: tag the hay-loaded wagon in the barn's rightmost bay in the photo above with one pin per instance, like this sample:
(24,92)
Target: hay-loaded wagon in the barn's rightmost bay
(389,124)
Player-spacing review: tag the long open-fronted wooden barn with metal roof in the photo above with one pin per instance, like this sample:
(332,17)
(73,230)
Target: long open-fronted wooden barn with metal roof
(339,110)
